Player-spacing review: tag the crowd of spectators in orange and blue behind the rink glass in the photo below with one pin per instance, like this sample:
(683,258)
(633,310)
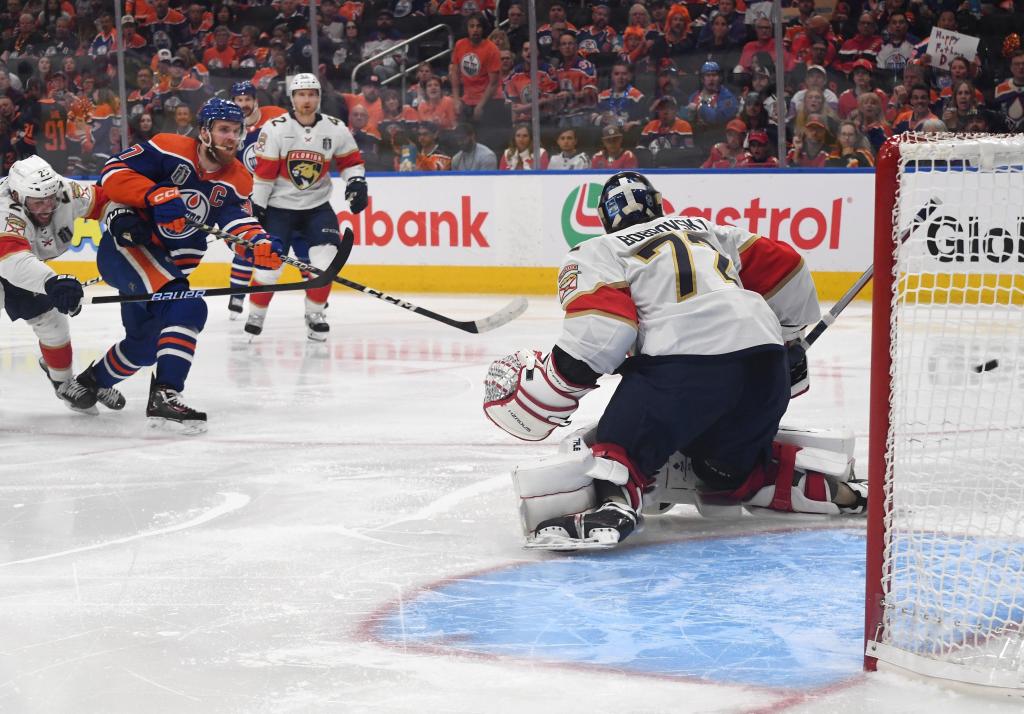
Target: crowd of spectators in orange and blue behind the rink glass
(621,85)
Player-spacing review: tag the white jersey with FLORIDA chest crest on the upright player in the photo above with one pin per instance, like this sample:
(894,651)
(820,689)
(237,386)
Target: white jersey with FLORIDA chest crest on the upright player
(293,162)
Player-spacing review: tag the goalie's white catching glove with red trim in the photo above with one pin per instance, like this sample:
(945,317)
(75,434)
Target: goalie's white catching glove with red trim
(526,395)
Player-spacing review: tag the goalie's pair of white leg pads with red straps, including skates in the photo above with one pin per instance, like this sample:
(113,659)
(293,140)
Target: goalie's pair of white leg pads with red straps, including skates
(559,496)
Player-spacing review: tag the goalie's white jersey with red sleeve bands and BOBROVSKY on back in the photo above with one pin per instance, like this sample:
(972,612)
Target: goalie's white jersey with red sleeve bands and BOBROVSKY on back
(676,286)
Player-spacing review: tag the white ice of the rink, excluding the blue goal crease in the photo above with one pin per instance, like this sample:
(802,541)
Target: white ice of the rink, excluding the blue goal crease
(241,571)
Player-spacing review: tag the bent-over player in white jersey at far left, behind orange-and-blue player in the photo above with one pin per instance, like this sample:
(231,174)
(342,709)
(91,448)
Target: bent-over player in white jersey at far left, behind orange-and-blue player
(38,208)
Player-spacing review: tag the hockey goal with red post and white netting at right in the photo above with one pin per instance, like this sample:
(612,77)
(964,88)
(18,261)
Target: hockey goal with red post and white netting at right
(946,564)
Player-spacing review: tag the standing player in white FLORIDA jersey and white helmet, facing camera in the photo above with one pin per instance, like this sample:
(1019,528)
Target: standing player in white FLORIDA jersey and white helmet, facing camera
(292,193)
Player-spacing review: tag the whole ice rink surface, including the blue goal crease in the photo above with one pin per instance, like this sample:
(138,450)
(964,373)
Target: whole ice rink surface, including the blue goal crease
(346,539)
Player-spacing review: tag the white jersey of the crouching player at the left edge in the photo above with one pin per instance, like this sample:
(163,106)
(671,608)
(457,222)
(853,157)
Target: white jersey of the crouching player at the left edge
(24,245)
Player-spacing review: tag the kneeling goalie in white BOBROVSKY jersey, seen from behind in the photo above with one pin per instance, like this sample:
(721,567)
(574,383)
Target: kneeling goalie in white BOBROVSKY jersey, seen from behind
(704,323)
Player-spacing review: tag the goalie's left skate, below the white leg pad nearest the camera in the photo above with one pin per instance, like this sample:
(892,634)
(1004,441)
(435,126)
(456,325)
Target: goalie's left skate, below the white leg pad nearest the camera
(605,528)
